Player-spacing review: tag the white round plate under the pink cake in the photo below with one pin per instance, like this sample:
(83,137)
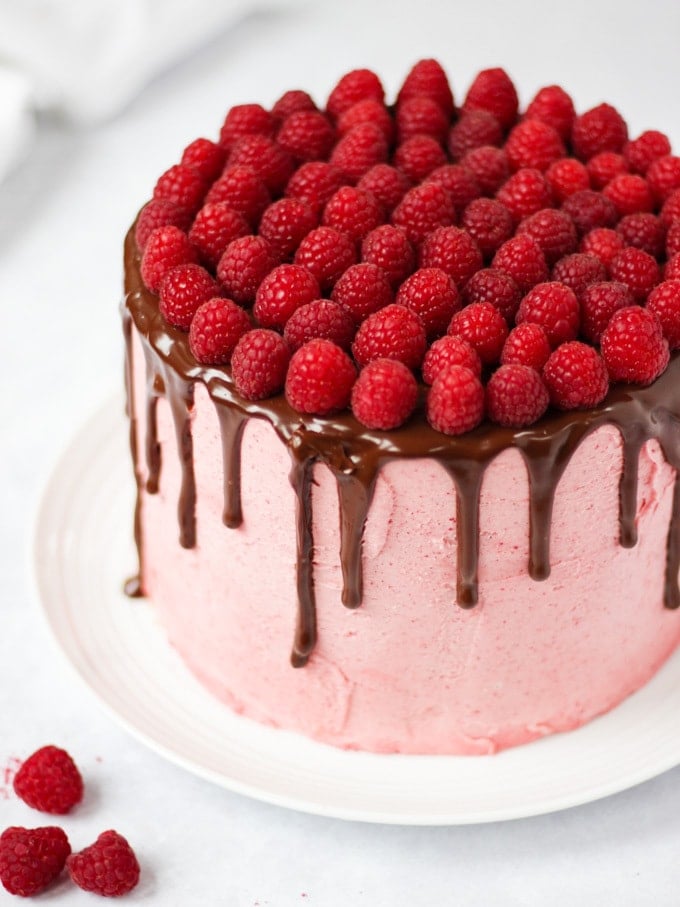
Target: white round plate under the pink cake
(83,552)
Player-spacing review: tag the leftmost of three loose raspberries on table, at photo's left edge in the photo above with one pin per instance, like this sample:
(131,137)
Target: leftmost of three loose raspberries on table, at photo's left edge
(31,858)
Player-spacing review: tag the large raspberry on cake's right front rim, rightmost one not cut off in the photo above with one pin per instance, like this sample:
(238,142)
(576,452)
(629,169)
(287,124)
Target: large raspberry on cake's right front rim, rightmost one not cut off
(634,347)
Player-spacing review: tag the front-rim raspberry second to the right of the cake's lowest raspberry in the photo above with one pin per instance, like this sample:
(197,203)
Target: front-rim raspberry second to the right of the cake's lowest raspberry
(576,376)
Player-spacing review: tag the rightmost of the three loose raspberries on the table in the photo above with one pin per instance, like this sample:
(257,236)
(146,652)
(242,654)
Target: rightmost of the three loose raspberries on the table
(108,867)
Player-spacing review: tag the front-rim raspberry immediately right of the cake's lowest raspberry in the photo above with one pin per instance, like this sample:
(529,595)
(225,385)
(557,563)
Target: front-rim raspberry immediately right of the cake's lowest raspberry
(516,396)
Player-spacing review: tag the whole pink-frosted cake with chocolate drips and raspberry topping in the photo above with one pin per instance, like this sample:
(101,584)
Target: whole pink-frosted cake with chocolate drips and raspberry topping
(404,405)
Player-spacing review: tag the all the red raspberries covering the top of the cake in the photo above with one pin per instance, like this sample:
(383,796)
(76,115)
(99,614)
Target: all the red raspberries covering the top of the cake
(486,262)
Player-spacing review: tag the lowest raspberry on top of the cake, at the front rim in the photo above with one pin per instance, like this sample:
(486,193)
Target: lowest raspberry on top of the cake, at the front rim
(455,402)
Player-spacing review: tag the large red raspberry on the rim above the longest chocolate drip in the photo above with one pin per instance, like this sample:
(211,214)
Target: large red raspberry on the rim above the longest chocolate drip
(320,378)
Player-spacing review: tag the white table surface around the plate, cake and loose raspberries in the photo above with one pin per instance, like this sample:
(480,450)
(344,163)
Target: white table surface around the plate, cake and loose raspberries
(62,218)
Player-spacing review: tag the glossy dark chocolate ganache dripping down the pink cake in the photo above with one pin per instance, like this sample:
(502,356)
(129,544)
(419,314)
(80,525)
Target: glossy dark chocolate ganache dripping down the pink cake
(355,456)
